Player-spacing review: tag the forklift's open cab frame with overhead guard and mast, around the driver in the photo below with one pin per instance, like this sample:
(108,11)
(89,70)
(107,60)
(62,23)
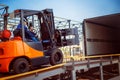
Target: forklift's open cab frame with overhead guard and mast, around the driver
(43,23)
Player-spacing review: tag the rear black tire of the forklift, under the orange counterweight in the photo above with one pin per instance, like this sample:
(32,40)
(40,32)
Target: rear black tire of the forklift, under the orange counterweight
(20,65)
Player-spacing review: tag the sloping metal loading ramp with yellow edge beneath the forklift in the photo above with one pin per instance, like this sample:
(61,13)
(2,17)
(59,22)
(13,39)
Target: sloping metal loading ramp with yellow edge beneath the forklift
(67,71)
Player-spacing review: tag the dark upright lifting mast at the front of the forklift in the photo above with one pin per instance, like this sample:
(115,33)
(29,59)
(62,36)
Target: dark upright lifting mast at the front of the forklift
(47,27)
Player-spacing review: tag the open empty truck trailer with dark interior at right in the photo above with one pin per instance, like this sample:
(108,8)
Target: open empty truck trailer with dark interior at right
(102,35)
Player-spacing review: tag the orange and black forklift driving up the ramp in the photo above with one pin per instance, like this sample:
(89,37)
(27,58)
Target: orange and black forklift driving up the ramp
(18,53)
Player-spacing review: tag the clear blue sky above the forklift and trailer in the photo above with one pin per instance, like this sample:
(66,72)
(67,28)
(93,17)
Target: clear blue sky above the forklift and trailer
(70,9)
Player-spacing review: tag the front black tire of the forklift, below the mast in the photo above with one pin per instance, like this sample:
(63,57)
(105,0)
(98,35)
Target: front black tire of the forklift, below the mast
(56,57)
